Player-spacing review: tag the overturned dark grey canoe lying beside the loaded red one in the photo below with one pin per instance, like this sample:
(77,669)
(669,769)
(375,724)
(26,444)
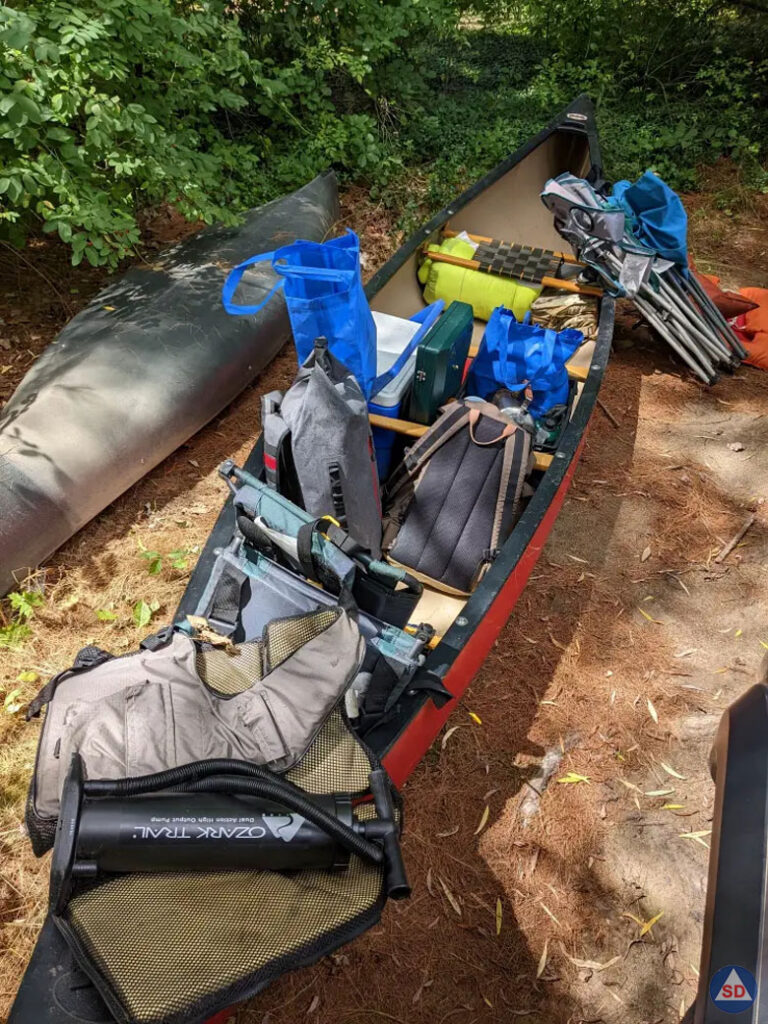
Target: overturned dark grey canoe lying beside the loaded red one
(151,361)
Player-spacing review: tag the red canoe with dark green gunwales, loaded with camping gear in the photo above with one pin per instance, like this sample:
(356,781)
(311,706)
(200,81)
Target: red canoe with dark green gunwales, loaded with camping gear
(505,204)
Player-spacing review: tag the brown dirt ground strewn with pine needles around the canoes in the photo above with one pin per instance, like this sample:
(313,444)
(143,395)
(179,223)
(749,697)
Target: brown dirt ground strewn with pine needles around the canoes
(628,645)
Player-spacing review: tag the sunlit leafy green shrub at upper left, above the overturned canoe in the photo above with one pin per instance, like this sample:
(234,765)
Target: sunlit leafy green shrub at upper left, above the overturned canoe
(108,106)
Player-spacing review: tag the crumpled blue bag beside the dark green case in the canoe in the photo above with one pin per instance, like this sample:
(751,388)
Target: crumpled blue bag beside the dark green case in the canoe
(516,356)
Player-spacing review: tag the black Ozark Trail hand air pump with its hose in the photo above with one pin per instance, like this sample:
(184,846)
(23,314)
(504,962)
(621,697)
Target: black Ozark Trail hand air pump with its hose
(214,817)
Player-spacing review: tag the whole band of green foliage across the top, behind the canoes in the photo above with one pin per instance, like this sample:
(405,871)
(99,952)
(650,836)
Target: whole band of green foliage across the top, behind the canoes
(108,107)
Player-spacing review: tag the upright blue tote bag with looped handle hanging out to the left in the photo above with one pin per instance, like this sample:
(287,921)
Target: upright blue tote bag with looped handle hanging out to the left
(323,288)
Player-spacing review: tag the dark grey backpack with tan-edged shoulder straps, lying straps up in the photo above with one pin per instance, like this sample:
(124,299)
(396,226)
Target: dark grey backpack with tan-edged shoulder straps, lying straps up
(454,501)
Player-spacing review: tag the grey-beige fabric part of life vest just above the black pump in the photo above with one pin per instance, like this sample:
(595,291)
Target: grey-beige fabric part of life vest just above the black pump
(186,701)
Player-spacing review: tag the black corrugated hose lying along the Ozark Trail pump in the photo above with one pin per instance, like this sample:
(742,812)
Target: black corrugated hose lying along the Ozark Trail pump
(205,777)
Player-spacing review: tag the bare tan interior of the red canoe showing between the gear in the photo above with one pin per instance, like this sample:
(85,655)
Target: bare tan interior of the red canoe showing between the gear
(509,209)
